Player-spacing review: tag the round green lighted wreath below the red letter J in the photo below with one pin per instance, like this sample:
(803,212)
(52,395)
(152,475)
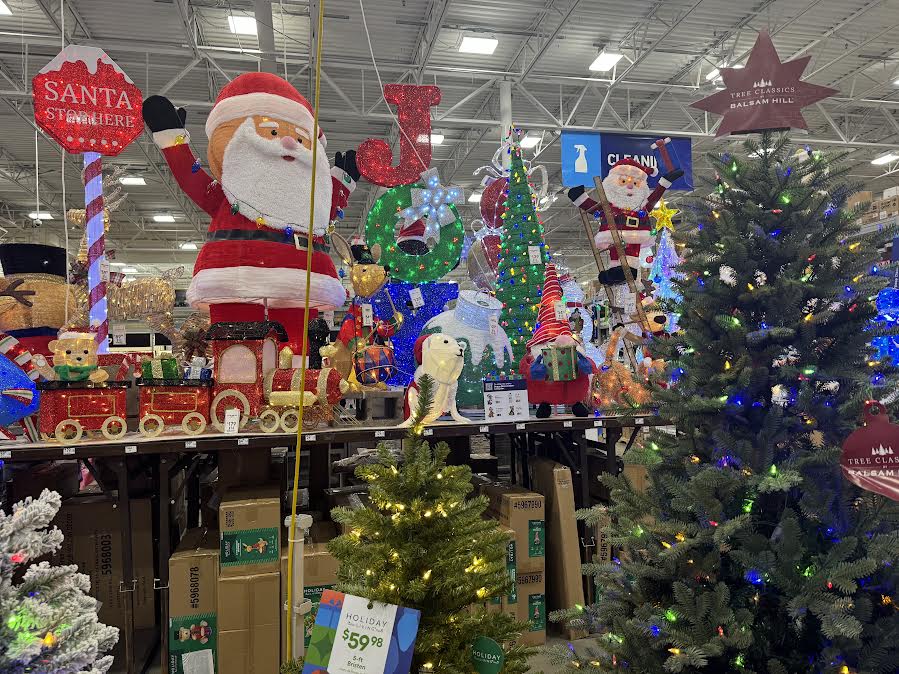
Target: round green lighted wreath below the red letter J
(380,228)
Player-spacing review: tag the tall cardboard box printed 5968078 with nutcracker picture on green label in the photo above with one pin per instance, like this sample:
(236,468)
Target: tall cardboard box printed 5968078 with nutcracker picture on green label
(193,611)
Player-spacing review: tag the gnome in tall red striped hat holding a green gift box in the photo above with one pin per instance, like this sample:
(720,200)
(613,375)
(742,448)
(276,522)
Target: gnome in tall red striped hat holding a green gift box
(556,367)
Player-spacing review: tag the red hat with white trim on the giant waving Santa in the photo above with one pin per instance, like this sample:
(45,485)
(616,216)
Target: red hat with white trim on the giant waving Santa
(261,94)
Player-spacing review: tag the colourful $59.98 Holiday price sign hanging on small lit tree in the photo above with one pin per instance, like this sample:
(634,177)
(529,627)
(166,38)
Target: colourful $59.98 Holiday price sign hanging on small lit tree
(353,636)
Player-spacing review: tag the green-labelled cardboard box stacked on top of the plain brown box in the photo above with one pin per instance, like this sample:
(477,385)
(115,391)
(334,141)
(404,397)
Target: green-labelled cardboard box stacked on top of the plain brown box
(250,526)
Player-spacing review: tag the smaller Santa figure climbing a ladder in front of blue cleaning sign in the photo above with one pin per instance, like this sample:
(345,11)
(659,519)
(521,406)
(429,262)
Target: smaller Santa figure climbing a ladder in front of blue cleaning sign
(631,199)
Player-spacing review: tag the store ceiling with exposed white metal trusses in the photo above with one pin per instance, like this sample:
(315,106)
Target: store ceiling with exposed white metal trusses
(186,49)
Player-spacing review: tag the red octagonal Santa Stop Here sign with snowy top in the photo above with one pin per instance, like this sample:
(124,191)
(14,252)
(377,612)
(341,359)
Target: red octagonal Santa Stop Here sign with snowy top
(86,102)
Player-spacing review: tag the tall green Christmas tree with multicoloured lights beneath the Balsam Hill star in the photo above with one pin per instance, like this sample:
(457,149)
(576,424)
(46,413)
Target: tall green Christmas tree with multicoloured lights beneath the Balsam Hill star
(749,552)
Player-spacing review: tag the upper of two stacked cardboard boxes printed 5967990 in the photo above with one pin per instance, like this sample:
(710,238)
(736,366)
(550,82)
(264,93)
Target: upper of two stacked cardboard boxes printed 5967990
(522,511)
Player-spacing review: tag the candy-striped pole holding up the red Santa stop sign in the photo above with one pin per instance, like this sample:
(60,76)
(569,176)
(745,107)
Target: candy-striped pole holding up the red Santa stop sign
(98,316)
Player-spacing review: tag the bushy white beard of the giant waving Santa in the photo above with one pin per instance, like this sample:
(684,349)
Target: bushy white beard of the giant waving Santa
(257,177)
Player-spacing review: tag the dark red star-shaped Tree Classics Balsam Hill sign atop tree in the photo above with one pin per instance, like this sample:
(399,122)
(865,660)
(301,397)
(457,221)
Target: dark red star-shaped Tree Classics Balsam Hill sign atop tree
(766,94)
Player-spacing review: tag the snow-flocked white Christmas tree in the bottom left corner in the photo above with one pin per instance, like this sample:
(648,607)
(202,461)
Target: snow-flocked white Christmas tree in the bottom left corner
(48,622)
